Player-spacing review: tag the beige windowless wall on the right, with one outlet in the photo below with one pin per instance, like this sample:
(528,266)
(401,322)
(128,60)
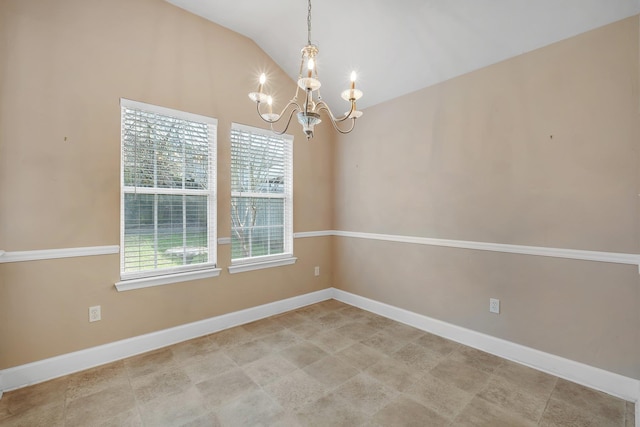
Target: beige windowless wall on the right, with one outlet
(539,150)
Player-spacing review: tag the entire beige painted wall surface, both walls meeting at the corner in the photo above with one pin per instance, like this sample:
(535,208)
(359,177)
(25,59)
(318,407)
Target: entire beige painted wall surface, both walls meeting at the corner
(538,150)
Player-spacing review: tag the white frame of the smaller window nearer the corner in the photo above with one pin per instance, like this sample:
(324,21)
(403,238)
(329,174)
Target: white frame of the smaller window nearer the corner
(240,265)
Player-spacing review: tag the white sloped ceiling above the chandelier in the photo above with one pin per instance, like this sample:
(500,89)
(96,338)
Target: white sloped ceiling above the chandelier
(401,46)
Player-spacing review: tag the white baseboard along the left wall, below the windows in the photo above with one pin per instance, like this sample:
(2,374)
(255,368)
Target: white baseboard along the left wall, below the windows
(43,370)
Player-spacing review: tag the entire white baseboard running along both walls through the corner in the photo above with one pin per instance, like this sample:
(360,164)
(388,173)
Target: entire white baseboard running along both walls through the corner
(599,379)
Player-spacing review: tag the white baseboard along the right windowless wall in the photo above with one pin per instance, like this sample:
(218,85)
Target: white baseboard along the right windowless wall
(599,379)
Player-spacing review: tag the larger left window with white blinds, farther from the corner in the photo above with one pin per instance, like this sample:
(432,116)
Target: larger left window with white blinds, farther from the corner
(168,205)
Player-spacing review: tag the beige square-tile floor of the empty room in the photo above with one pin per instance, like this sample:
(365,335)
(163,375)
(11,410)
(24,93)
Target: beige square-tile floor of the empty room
(328,364)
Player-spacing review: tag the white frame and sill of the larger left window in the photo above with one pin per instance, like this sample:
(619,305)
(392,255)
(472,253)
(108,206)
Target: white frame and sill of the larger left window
(143,279)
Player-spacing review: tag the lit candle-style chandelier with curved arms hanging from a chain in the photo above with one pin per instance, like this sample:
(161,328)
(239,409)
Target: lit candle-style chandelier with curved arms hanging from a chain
(308,110)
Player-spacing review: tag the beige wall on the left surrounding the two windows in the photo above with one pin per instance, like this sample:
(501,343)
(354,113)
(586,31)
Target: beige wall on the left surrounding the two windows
(64,66)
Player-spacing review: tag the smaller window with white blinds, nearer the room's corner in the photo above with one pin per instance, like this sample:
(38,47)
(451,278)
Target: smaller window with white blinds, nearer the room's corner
(261,198)
